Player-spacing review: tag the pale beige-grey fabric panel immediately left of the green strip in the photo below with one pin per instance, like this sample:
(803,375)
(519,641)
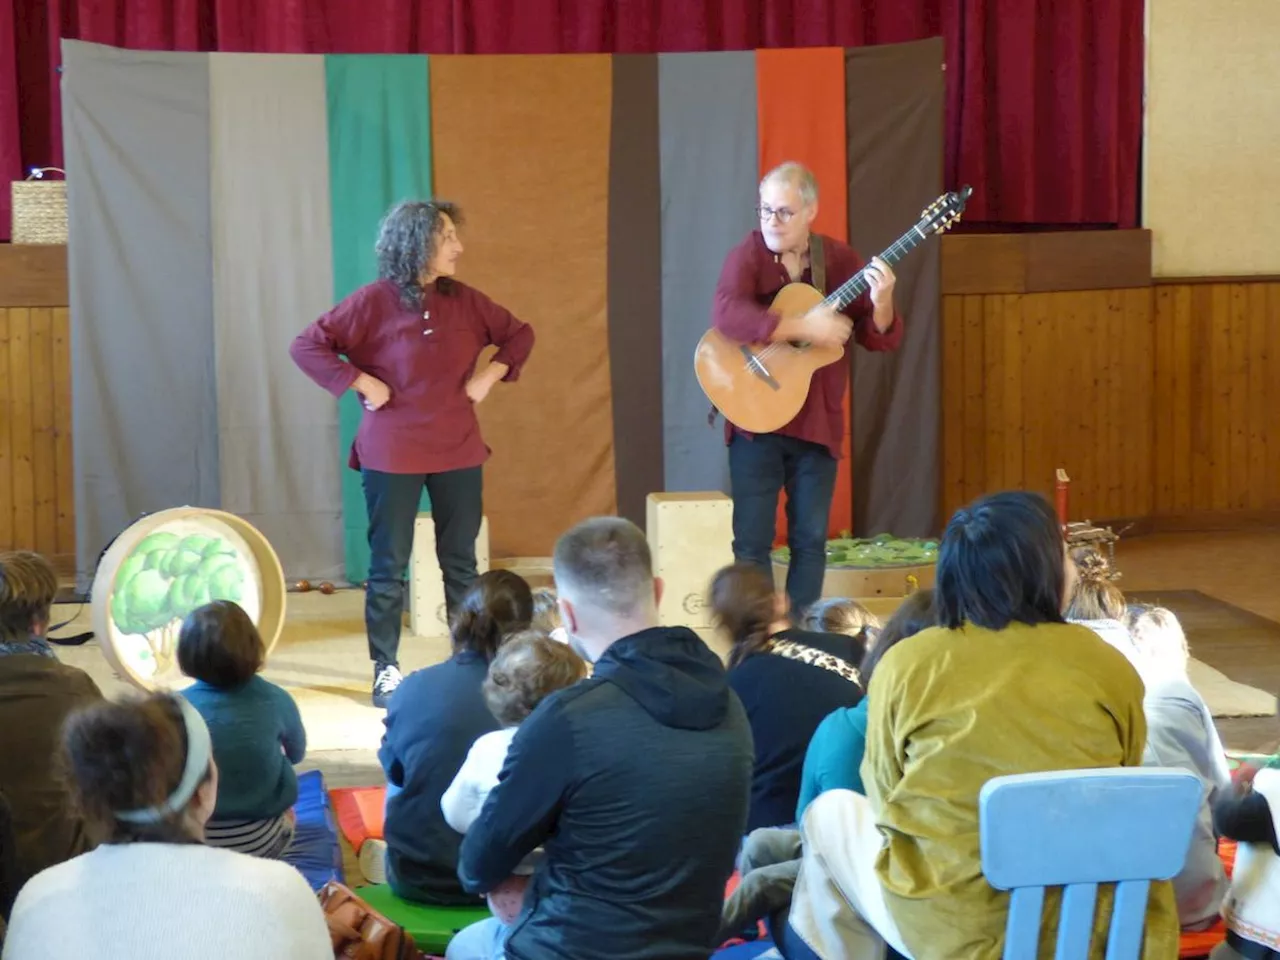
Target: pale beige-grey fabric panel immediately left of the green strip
(273,275)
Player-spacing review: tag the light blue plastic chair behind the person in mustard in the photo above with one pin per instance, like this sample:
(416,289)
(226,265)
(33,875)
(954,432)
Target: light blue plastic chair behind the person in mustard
(1080,829)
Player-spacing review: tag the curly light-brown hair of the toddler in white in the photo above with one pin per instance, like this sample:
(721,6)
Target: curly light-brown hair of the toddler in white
(529,669)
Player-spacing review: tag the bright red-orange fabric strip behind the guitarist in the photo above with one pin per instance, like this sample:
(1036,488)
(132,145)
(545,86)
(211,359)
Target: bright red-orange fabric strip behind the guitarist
(801,97)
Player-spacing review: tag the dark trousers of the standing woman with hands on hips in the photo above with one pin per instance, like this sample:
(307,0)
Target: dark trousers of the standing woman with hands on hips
(392,501)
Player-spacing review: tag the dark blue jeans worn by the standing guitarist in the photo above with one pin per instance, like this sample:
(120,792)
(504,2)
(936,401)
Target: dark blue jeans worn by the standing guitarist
(760,469)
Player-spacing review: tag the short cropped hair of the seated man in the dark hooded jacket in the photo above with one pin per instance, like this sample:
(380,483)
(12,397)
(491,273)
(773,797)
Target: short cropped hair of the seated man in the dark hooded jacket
(605,563)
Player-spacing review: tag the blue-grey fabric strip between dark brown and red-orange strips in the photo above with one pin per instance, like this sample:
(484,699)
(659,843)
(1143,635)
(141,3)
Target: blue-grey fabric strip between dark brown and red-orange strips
(710,177)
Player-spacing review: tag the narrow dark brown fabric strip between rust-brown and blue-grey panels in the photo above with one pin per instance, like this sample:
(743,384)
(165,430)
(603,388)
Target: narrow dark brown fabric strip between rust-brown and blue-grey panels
(636,284)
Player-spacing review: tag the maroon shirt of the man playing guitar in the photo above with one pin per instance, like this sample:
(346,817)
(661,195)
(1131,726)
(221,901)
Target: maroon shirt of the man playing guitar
(751,280)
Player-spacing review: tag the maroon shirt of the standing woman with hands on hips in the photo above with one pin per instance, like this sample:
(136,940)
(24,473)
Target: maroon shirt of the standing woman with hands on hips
(426,356)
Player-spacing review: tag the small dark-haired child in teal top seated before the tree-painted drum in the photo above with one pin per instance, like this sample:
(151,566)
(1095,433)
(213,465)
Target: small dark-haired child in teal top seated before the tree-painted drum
(255,728)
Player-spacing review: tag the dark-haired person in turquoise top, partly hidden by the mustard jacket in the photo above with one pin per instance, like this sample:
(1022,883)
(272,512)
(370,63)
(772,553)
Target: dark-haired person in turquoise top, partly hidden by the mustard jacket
(771,857)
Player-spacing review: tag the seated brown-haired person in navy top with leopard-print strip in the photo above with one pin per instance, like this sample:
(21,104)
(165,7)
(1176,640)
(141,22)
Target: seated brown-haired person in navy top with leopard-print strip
(789,680)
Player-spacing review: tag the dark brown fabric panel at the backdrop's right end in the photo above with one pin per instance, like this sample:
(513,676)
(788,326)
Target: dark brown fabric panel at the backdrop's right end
(895,99)
